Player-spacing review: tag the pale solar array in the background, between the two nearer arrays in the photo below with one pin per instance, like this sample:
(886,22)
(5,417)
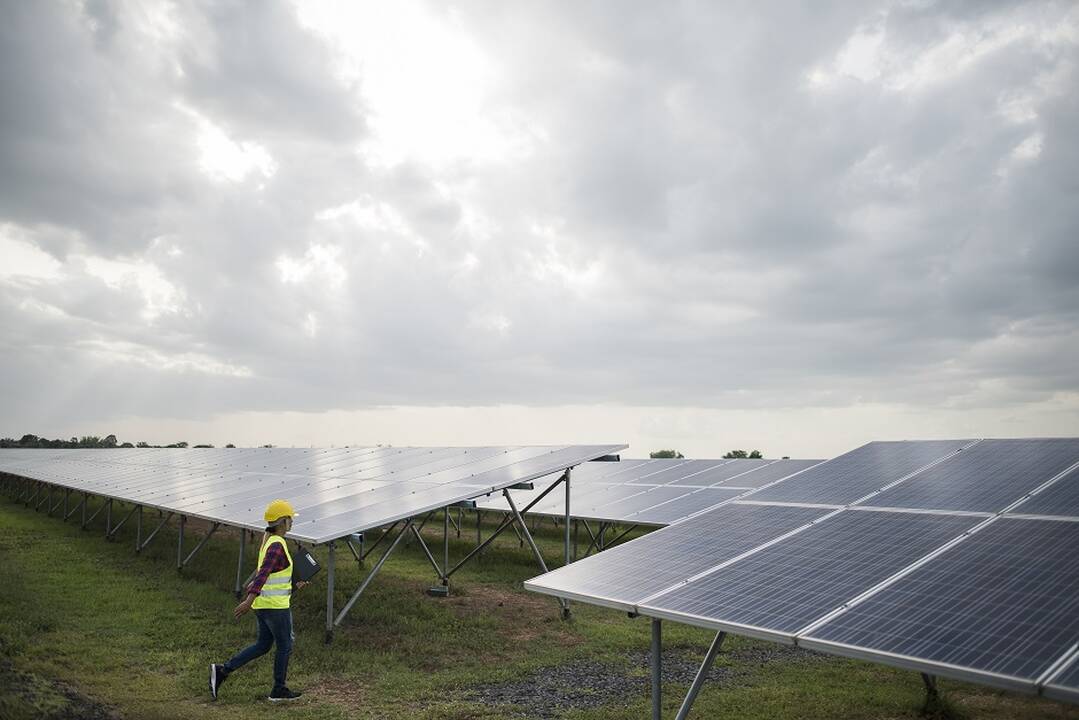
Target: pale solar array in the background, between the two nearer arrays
(655,493)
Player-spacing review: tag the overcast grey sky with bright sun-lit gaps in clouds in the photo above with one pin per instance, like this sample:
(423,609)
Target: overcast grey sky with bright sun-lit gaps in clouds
(705,226)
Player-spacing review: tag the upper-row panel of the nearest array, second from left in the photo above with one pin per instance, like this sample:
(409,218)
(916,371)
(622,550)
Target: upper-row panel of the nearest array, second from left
(986,478)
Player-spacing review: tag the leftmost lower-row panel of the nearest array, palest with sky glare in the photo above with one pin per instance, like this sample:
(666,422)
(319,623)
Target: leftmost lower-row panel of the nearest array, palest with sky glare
(623,576)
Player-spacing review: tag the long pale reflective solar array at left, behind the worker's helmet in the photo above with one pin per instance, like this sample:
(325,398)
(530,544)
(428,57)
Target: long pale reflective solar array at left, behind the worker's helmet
(336,492)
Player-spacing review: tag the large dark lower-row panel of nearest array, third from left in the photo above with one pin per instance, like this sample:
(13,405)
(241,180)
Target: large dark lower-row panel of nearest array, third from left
(1004,602)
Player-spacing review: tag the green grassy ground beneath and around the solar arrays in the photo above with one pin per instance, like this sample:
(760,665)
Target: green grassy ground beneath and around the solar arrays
(89,630)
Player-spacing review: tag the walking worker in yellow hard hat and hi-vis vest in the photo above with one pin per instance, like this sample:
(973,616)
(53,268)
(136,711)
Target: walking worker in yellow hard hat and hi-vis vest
(269,595)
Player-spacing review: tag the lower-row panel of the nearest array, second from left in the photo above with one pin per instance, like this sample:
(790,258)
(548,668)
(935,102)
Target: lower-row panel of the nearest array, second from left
(787,587)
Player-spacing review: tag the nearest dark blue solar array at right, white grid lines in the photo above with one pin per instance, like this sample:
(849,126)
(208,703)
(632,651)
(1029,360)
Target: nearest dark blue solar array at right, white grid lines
(957,559)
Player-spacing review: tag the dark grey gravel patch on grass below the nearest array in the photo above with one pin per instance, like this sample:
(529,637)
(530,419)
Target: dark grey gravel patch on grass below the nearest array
(553,691)
